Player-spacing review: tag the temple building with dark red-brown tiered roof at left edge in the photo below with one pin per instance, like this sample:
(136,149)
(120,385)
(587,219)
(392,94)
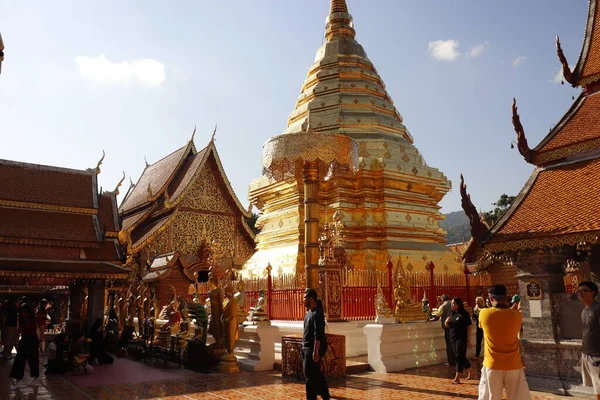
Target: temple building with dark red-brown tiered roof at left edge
(58,237)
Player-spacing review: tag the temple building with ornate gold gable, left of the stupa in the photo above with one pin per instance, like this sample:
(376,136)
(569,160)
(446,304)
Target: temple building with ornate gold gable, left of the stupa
(182,207)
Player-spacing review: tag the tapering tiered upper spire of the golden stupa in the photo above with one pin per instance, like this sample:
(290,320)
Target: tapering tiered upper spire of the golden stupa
(343,93)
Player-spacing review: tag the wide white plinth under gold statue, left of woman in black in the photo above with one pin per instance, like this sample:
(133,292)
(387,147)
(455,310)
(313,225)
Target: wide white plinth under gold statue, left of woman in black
(400,346)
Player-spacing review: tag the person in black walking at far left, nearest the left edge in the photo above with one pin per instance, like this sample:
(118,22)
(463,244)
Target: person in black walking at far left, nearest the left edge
(27,349)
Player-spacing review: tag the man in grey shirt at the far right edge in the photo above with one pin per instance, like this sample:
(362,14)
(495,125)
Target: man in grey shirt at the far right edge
(590,340)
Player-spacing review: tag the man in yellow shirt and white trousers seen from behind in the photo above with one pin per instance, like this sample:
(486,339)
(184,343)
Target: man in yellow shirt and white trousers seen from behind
(502,367)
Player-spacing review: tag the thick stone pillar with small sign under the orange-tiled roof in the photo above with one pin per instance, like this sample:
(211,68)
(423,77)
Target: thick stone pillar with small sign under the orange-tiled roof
(550,346)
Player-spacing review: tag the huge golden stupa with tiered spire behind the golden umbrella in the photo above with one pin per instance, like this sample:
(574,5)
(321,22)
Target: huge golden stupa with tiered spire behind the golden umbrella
(389,205)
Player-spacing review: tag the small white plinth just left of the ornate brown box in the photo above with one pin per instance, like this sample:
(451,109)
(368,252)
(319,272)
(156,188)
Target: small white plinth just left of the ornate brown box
(255,349)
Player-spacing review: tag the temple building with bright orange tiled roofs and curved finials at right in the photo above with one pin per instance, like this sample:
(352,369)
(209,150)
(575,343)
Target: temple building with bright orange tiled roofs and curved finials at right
(549,236)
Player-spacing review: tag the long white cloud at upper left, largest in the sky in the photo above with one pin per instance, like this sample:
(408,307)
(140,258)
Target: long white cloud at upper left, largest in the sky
(146,72)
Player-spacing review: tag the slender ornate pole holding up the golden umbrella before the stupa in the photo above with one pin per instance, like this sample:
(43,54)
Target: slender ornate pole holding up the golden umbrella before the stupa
(310,178)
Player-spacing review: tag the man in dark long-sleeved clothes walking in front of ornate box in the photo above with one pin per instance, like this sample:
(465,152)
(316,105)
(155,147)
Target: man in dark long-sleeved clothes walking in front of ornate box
(314,345)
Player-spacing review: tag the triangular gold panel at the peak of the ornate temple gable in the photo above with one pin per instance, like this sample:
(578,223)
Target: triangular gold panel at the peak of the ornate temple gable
(206,194)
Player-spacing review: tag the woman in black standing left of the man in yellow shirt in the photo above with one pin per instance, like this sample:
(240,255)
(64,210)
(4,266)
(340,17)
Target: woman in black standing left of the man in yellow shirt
(458,324)
